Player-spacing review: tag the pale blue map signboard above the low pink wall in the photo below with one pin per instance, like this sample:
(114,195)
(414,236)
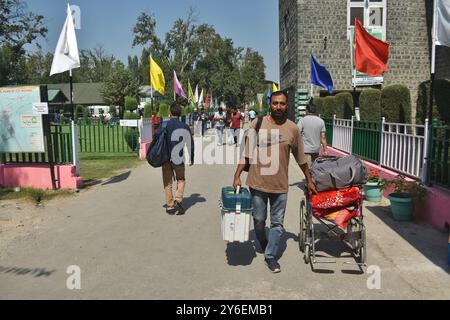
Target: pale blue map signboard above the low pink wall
(21,129)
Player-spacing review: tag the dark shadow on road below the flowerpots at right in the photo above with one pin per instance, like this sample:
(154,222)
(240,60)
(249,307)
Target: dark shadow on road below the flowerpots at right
(431,243)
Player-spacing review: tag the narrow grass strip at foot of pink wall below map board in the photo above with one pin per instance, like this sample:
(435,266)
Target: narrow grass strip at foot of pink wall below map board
(34,195)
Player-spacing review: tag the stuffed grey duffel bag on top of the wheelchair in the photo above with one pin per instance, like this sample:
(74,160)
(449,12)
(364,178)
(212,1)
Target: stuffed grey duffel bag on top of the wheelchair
(330,173)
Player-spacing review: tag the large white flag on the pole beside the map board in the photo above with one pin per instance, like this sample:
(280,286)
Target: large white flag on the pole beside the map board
(66,53)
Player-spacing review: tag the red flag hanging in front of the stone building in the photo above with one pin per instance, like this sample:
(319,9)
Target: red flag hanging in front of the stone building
(371,54)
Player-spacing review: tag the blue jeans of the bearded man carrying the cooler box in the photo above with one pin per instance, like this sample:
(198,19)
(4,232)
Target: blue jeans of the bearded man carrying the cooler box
(278,204)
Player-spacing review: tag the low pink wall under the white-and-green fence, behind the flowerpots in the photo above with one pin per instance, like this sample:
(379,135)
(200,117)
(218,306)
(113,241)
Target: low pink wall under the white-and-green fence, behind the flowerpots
(435,210)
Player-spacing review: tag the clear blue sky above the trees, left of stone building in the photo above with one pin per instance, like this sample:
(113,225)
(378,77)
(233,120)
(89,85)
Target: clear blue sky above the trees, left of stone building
(249,23)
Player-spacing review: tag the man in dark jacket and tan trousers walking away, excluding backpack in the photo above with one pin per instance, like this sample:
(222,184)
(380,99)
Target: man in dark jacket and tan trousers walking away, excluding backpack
(179,136)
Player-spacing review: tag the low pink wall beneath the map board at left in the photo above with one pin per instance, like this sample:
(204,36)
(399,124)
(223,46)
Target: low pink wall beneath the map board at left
(38,176)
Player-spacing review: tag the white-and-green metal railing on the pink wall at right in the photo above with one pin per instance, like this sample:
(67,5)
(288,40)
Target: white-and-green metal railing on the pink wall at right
(400,147)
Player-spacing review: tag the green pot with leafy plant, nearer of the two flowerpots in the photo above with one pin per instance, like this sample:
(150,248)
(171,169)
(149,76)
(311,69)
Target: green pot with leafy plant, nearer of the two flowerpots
(405,194)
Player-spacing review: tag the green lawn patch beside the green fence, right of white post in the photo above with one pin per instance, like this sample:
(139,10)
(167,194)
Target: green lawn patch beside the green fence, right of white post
(95,166)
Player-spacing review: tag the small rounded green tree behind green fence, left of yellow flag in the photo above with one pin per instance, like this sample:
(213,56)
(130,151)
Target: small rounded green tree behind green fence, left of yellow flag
(118,85)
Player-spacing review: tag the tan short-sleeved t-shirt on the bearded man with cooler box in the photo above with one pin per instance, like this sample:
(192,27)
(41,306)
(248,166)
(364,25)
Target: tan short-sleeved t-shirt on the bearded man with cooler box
(269,156)
